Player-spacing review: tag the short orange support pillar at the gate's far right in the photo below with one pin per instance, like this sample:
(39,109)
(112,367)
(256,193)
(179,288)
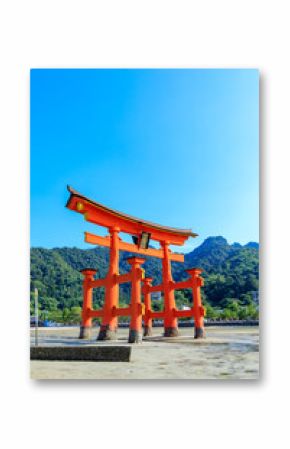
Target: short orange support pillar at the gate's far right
(198,309)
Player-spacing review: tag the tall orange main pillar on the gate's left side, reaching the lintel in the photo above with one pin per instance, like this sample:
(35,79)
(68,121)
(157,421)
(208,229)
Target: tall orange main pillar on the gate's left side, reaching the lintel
(108,330)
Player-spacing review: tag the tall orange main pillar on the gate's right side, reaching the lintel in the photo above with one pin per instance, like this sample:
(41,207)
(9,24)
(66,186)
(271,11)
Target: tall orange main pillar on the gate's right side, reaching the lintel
(170,321)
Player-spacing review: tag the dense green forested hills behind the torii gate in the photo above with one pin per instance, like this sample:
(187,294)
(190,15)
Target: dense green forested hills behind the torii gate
(231,274)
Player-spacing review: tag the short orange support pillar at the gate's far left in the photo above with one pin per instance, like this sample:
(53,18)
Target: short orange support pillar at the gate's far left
(86,325)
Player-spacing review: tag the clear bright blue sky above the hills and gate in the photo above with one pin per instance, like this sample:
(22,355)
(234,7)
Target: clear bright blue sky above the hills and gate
(178,147)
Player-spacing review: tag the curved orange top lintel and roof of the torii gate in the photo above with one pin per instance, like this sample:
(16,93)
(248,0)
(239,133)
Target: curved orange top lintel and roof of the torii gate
(104,216)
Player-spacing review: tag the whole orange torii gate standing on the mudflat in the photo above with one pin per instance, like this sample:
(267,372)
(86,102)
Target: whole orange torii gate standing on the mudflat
(141,232)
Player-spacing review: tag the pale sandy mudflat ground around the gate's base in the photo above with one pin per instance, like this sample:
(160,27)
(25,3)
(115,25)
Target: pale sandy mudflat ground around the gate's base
(226,353)
